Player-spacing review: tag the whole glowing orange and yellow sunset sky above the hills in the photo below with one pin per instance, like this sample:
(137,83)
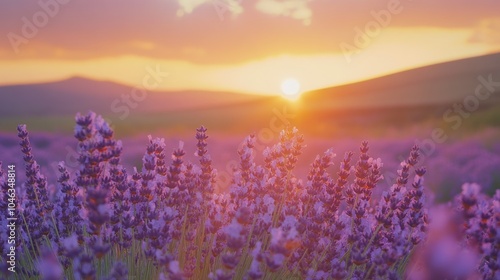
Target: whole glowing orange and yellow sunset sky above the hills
(238,45)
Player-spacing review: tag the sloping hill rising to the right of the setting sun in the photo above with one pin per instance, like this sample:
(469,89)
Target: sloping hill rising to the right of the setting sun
(435,84)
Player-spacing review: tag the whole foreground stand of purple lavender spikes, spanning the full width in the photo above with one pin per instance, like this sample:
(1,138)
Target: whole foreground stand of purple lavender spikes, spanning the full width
(166,221)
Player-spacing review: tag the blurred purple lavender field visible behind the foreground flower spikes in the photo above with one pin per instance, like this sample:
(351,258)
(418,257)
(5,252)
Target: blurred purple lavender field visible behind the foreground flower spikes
(474,158)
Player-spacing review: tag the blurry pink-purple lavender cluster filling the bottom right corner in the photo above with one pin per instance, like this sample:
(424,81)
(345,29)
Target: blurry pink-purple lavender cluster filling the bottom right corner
(463,239)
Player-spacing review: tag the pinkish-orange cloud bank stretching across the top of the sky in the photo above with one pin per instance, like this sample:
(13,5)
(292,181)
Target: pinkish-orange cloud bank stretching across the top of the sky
(99,29)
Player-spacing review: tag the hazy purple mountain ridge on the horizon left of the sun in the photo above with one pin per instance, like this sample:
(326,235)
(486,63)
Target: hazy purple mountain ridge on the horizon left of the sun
(80,95)
